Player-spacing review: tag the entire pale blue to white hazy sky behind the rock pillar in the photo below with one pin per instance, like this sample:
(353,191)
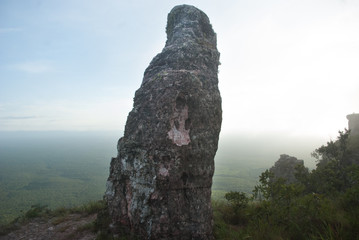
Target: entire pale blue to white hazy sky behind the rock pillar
(287,67)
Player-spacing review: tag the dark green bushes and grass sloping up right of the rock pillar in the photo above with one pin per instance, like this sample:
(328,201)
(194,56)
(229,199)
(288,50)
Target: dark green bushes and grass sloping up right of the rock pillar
(323,204)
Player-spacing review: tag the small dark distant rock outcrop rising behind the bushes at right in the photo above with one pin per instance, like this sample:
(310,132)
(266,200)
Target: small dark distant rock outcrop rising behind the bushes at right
(285,168)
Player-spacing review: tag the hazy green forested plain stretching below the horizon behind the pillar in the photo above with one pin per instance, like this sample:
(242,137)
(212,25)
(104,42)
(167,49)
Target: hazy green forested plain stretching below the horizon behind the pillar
(59,168)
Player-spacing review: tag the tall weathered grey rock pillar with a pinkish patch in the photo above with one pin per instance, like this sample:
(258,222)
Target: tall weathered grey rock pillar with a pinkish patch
(160,183)
